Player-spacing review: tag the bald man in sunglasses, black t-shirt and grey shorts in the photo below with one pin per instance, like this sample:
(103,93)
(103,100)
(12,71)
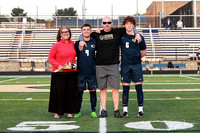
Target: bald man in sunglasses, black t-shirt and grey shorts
(107,60)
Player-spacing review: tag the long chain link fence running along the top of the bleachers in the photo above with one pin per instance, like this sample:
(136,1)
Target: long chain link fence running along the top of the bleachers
(54,22)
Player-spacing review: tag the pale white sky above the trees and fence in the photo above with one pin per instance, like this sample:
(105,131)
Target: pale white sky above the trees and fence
(45,8)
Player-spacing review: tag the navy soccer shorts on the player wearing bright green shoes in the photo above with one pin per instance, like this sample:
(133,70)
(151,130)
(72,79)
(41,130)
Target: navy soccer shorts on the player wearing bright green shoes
(90,80)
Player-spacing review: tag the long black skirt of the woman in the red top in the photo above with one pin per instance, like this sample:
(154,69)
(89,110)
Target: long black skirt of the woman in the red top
(64,93)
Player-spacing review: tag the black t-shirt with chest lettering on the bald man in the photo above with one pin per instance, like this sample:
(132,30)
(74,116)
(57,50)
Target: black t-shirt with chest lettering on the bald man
(108,46)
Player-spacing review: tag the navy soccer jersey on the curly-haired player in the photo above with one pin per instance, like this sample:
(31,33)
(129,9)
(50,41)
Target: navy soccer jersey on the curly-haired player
(130,50)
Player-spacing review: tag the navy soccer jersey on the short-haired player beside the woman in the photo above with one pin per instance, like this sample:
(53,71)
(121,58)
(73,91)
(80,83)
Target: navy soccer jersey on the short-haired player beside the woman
(86,58)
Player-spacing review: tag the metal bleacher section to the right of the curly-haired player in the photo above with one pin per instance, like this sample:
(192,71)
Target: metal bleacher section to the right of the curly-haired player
(172,45)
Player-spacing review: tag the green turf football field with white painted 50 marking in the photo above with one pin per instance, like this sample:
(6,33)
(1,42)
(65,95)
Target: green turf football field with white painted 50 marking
(164,111)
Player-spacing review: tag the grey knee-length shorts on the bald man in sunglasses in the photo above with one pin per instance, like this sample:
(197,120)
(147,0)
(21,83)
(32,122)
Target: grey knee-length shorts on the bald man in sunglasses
(108,76)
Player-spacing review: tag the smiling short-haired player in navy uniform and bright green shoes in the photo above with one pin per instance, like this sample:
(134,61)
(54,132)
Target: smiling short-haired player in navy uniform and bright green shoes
(86,69)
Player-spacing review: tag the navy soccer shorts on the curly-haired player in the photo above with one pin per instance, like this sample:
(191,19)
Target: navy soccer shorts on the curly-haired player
(132,73)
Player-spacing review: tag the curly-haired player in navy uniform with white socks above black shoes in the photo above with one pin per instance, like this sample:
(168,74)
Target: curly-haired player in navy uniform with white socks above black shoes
(131,68)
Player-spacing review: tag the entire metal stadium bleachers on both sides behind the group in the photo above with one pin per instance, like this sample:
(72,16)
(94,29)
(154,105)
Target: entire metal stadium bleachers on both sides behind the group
(34,46)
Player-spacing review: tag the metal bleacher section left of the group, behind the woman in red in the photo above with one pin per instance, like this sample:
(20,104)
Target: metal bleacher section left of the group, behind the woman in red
(34,45)
